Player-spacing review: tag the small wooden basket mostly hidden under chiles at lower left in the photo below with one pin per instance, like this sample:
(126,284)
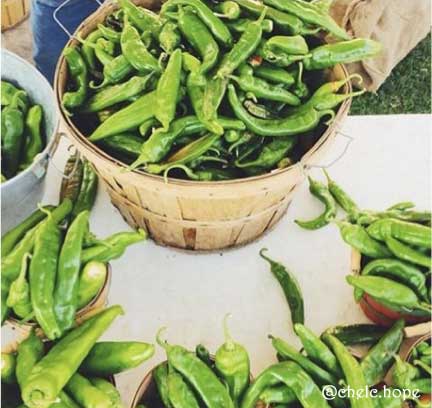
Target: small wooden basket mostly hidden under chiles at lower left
(95,306)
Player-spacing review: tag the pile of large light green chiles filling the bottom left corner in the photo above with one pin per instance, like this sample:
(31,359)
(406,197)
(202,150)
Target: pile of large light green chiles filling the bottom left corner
(73,372)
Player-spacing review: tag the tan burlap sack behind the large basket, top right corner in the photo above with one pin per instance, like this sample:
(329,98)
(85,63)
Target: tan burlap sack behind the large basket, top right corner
(399,25)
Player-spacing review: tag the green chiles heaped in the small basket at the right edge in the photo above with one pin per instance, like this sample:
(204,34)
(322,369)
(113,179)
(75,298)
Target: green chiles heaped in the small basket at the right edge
(395,245)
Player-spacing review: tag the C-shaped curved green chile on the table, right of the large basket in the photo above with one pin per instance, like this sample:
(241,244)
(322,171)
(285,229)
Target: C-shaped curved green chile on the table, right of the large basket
(320,191)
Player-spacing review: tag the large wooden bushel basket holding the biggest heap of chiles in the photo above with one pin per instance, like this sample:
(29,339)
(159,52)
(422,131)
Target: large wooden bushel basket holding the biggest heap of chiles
(189,214)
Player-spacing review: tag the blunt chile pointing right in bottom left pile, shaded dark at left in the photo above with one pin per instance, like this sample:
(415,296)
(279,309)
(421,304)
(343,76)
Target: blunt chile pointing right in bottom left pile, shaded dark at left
(109,358)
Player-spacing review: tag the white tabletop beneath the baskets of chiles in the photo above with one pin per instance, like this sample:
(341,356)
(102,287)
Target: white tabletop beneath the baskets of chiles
(388,161)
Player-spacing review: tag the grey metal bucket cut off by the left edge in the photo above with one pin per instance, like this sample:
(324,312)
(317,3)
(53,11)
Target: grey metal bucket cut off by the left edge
(21,194)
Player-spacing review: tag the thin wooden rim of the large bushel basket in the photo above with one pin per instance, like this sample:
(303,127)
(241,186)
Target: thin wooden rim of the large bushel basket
(78,137)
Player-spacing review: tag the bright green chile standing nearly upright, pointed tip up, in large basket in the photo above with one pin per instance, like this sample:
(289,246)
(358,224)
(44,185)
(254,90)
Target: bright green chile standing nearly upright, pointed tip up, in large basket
(167,91)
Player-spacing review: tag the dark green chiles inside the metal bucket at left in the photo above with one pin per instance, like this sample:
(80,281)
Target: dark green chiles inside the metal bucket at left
(21,129)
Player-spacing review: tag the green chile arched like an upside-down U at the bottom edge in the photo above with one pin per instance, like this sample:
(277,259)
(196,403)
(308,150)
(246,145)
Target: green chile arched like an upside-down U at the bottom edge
(292,375)
